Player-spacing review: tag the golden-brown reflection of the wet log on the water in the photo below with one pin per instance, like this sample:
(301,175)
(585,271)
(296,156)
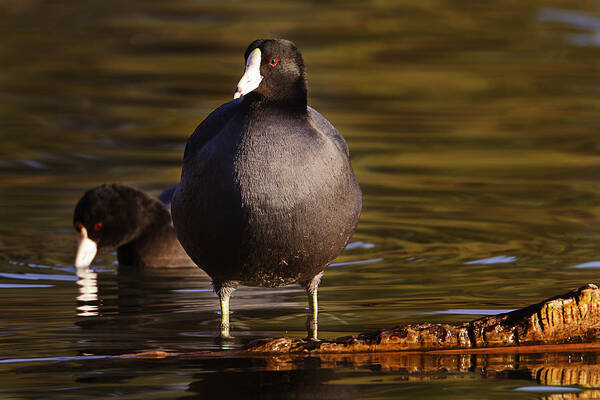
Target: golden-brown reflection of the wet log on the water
(578,372)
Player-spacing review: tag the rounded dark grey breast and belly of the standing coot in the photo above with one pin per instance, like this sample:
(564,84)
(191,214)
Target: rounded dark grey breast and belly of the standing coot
(279,203)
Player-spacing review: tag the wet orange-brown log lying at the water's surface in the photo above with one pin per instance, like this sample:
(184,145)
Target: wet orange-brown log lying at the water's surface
(573,317)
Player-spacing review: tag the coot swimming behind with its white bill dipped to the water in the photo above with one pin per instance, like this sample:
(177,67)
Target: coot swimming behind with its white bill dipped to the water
(138,225)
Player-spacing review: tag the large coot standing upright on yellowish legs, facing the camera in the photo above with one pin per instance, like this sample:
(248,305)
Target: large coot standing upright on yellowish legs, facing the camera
(267,194)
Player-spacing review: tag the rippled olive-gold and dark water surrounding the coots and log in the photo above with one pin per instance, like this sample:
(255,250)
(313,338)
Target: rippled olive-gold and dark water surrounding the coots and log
(474,133)
